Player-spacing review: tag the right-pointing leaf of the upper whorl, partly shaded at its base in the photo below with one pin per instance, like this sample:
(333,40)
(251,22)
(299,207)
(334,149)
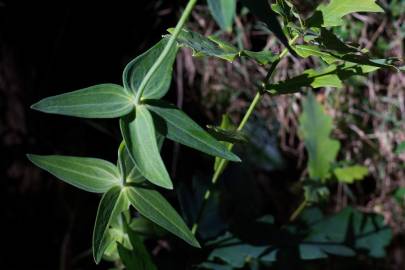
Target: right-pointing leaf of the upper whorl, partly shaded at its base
(177,126)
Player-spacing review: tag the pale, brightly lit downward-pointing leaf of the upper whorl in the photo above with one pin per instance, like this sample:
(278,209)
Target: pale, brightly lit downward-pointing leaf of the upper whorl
(139,135)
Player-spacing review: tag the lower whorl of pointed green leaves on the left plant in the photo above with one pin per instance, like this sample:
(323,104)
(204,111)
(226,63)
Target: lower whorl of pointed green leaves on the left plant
(100,176)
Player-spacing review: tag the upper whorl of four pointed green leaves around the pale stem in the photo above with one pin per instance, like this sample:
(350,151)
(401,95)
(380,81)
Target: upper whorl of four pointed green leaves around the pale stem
(137,123)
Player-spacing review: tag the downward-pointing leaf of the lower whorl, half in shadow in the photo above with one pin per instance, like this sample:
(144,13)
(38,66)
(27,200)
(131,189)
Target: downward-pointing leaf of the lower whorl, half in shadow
(111,205)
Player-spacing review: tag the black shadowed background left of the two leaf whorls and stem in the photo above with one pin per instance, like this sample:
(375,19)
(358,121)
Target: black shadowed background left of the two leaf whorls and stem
(47,48)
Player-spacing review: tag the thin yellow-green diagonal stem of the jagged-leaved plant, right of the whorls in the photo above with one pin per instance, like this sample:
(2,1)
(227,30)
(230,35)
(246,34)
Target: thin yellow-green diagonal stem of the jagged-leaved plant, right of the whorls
(222,164)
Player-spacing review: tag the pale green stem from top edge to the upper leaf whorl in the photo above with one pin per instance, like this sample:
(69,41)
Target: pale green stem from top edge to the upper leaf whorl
(166,50)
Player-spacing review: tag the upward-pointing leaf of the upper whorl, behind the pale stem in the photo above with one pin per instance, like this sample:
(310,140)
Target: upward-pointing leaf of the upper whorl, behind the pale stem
(136,70)
